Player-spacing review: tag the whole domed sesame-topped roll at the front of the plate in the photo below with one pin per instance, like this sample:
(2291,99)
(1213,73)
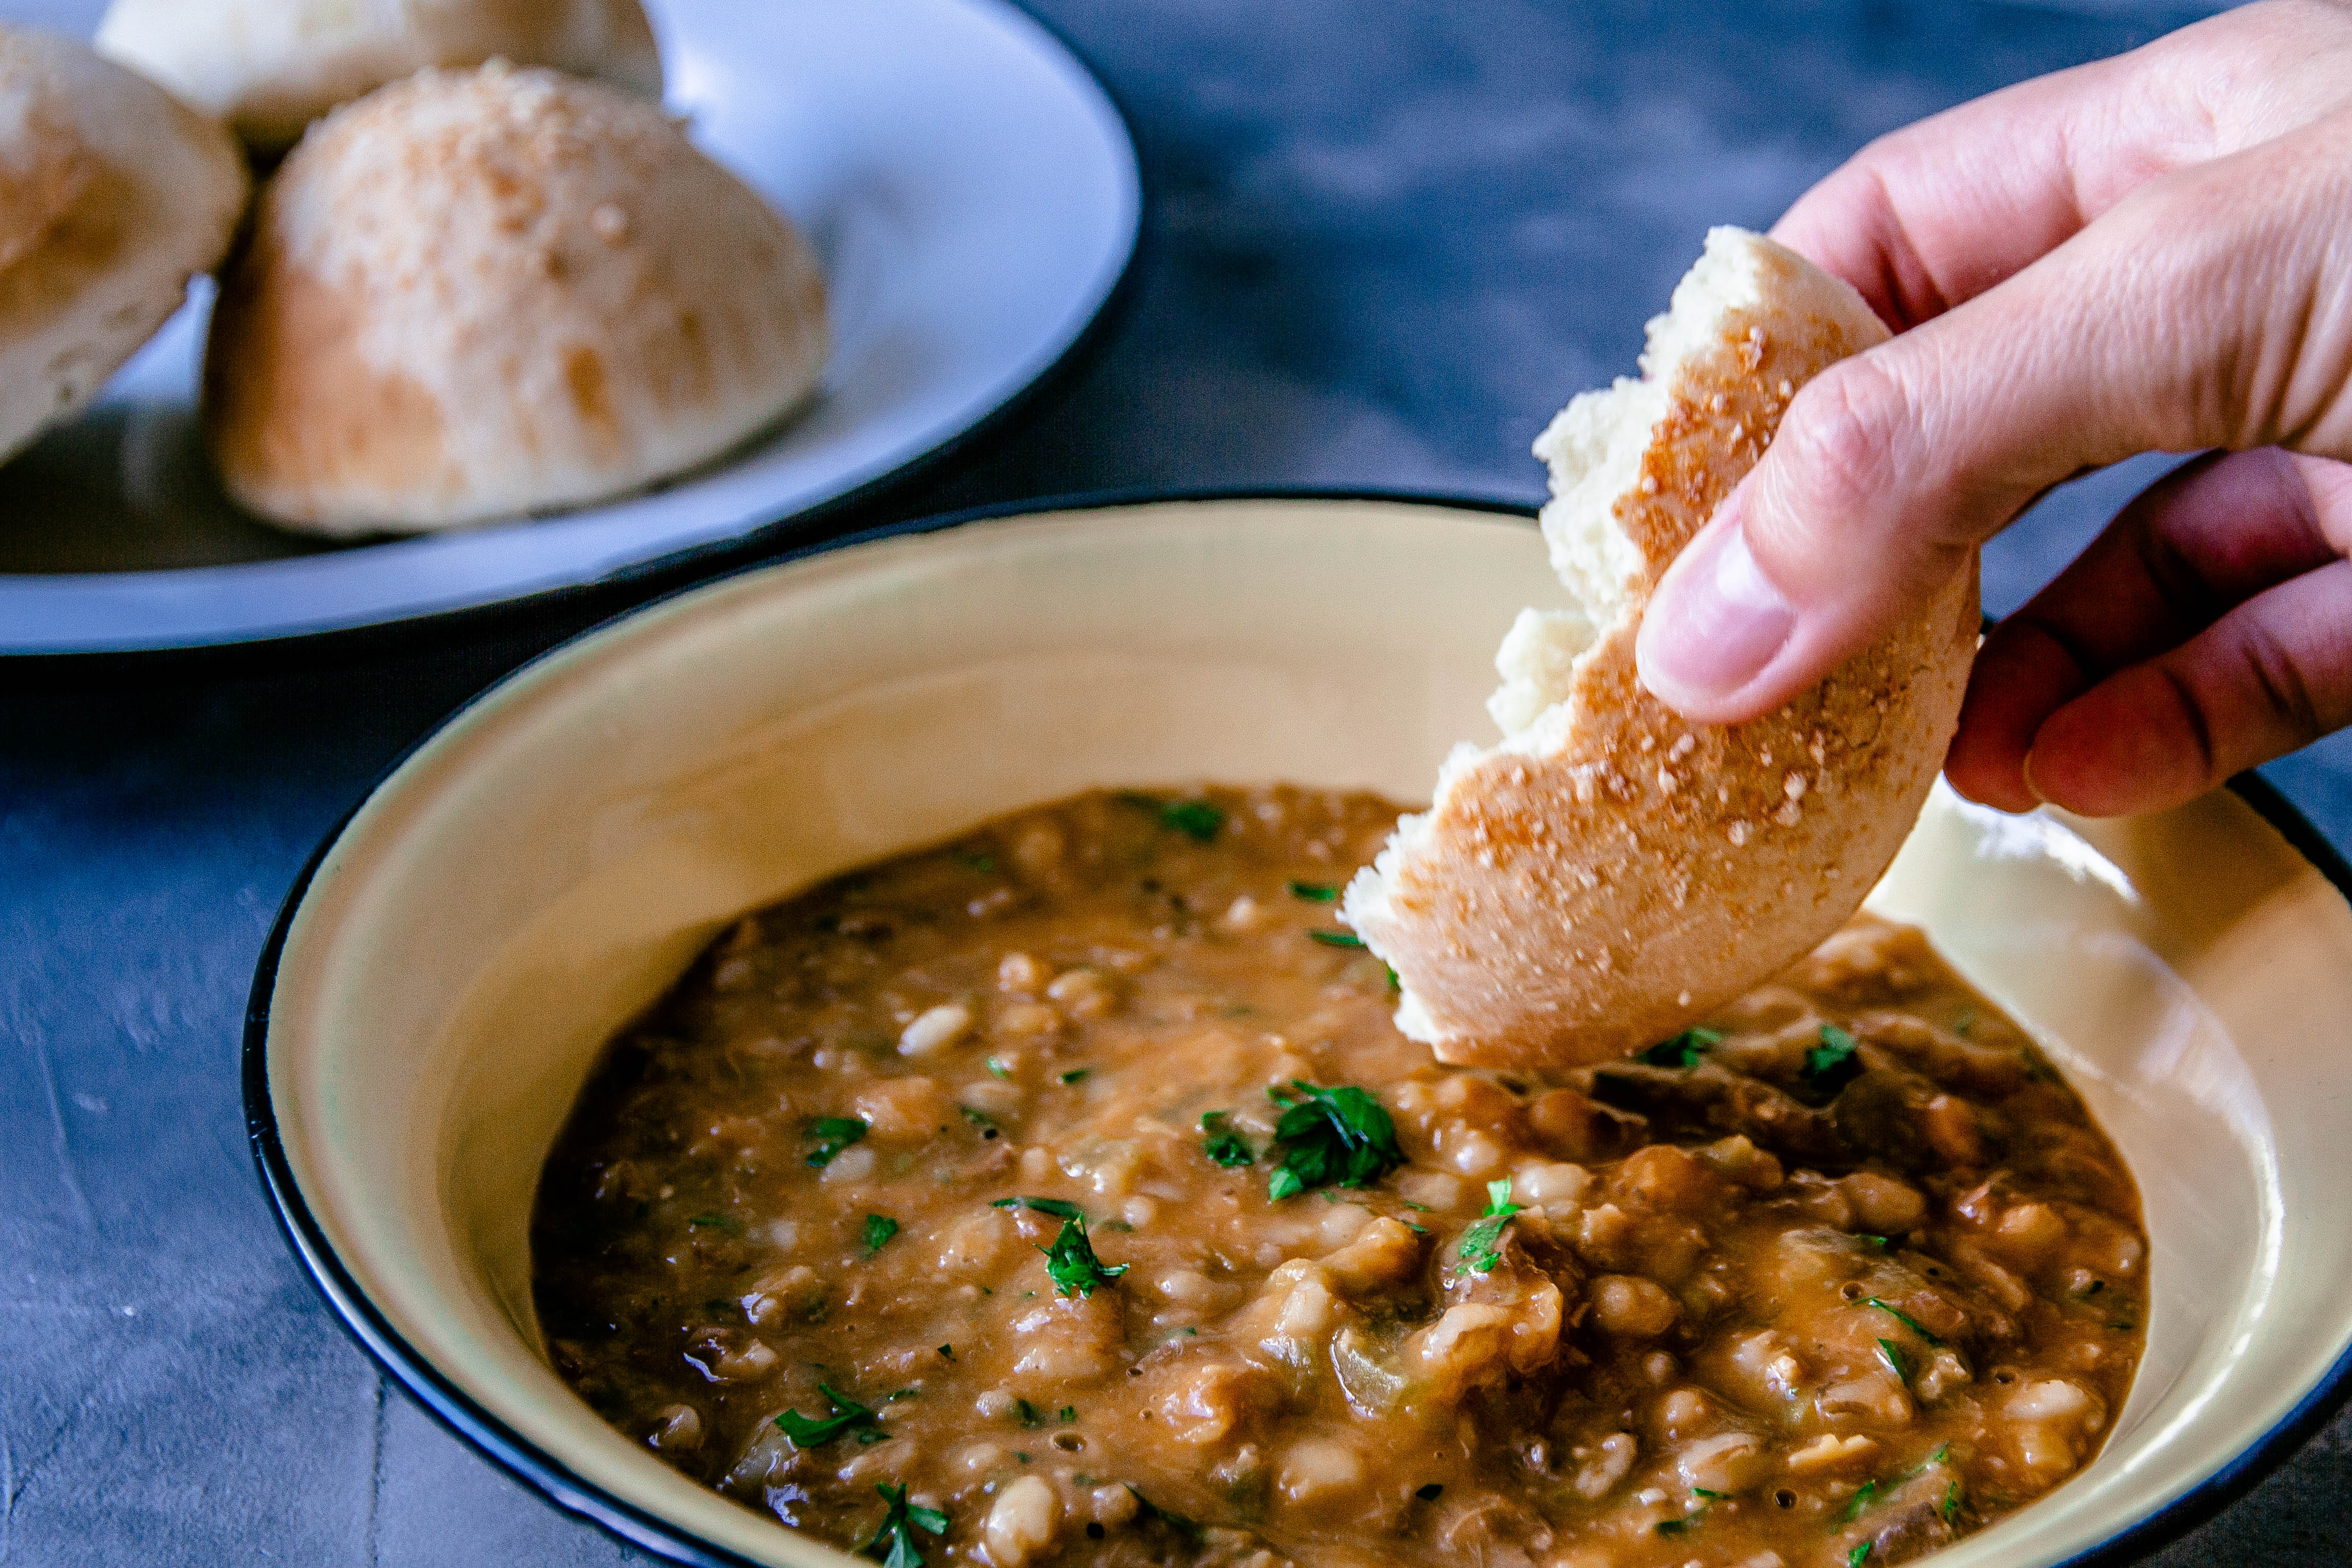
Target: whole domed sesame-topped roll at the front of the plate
(493,293)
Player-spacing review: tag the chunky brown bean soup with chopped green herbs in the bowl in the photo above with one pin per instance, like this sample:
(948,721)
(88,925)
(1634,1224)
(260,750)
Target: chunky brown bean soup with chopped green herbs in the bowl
(1067,1195)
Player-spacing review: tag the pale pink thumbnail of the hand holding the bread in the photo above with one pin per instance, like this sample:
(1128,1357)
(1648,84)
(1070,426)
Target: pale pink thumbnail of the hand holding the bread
(1716,624)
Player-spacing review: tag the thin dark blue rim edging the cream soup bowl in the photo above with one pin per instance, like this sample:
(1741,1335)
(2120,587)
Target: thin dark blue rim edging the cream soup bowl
(554,1480)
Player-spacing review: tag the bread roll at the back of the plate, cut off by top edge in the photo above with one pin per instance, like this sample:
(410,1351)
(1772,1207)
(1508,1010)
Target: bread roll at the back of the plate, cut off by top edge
(274,67)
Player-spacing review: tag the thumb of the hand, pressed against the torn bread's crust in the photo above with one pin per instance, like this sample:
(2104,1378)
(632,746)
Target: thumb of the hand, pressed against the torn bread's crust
(2189,316)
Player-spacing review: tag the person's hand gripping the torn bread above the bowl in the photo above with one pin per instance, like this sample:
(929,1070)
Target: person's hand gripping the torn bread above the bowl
(2141,255)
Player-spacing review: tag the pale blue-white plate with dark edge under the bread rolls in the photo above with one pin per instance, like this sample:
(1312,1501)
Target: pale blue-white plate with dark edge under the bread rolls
(975,201)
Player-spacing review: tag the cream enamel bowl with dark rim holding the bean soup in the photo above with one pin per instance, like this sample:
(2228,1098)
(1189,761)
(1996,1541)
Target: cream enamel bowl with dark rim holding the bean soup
(554,857)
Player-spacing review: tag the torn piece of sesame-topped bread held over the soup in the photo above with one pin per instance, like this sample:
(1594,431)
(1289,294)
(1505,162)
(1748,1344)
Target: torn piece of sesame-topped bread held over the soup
(1612,873)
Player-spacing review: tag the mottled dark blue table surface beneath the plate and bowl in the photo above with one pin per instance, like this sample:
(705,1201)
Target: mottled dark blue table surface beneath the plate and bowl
(1384,243)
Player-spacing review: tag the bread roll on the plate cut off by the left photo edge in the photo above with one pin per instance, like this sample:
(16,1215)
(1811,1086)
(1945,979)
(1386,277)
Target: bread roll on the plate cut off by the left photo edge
(112,199)
